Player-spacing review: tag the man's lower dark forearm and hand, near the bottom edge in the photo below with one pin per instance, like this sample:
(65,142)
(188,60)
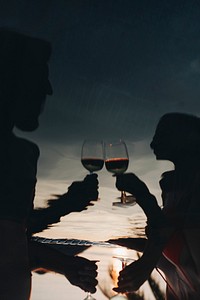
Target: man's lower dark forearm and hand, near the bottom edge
(79,271)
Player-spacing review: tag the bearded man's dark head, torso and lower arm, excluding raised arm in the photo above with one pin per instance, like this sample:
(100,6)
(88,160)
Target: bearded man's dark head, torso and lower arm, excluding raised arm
(24,85)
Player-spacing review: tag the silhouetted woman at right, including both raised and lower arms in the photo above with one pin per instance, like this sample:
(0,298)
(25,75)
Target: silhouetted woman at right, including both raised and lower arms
(173,233)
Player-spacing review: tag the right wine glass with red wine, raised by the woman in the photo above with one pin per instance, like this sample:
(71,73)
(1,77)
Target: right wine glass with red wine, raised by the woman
(117,161)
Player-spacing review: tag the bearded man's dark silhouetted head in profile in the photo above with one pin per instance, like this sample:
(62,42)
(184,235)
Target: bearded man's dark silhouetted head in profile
(24,81)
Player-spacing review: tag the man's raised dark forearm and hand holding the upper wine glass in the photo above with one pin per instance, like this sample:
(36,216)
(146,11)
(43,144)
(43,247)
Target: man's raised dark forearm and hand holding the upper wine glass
(79,196)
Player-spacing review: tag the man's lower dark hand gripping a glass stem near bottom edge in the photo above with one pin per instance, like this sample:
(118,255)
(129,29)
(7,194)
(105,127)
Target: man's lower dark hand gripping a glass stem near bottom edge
(82,273)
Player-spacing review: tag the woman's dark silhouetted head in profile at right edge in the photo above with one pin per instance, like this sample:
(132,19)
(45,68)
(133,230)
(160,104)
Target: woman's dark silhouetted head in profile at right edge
(177,135)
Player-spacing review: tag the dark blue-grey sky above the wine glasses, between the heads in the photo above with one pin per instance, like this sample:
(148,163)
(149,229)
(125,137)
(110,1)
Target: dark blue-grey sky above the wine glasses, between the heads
(117,65)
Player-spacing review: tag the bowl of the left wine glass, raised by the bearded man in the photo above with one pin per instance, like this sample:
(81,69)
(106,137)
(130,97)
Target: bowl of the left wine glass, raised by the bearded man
(92,155)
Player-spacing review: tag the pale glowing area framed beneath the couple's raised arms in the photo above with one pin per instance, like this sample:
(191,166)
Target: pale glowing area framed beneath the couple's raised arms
(100,222)
